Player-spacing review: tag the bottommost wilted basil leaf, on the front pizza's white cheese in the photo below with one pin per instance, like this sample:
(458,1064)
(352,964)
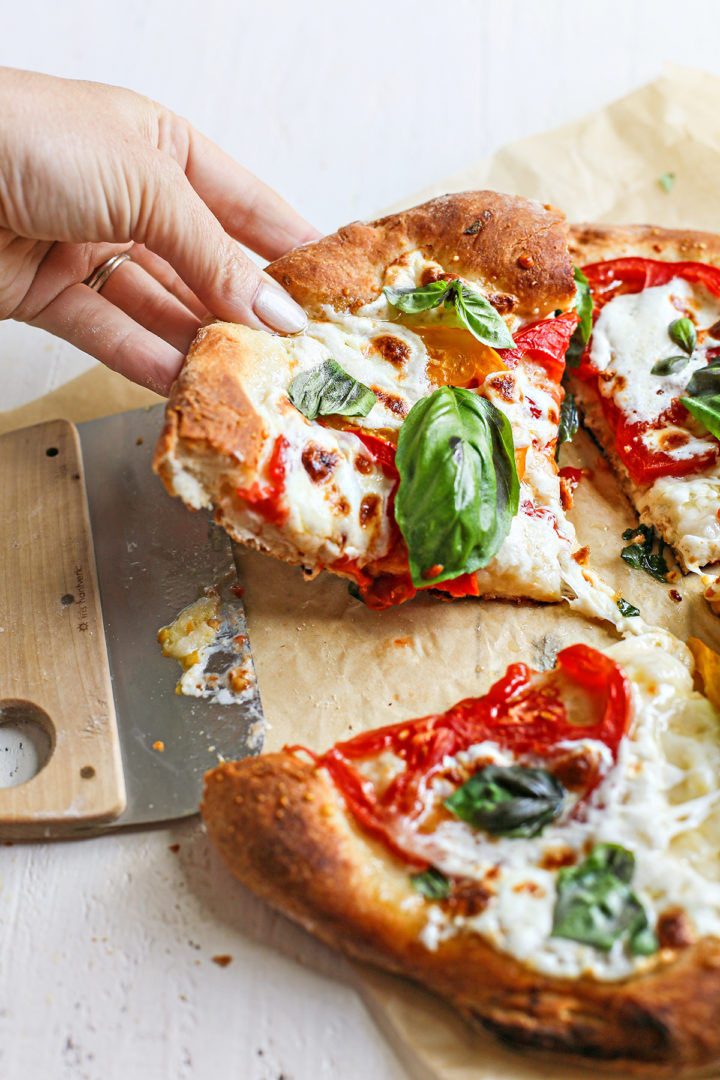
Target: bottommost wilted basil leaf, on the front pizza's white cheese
(596,906)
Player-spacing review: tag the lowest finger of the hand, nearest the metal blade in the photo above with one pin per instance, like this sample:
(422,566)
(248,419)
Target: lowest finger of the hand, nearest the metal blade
(94,325)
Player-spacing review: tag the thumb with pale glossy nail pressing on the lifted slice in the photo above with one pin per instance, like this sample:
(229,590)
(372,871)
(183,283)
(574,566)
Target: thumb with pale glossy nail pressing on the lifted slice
(176,224)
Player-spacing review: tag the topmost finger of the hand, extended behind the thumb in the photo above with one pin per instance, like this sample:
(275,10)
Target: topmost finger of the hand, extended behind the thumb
(250,211)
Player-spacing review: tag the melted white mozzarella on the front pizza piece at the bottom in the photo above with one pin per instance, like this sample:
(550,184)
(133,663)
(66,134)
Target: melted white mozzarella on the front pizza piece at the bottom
(661,801)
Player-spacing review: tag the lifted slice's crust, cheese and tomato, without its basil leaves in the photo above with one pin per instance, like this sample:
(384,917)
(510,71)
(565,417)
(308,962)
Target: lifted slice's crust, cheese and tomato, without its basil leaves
(321,493)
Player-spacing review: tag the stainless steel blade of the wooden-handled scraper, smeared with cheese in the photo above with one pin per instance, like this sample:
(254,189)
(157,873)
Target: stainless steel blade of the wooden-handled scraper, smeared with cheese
(155,558)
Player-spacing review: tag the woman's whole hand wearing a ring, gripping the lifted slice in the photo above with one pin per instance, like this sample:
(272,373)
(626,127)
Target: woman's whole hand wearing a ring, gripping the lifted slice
(88,171)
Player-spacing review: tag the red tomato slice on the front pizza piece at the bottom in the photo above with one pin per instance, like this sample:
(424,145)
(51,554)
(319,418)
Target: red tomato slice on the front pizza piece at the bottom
(524,712)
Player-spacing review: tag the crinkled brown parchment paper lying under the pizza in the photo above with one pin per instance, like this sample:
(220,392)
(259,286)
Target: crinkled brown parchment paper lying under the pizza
(328,667)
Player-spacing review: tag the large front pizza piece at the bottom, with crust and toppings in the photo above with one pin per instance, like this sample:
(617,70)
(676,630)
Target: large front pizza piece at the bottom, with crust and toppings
(546,857)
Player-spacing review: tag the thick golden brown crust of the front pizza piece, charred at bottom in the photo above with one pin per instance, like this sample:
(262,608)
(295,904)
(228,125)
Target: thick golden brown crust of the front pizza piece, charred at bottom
(284,832)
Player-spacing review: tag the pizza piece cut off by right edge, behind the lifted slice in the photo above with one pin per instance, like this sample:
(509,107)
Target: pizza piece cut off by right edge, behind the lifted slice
(649,381)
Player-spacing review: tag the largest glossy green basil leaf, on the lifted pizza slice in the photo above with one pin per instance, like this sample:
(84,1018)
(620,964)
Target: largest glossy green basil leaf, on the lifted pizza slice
(459,490)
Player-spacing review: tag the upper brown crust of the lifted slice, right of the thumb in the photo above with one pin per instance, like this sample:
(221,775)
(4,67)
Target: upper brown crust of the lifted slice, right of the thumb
(515,246)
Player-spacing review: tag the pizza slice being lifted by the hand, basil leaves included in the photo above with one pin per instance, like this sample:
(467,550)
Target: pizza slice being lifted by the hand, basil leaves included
(407,439)
